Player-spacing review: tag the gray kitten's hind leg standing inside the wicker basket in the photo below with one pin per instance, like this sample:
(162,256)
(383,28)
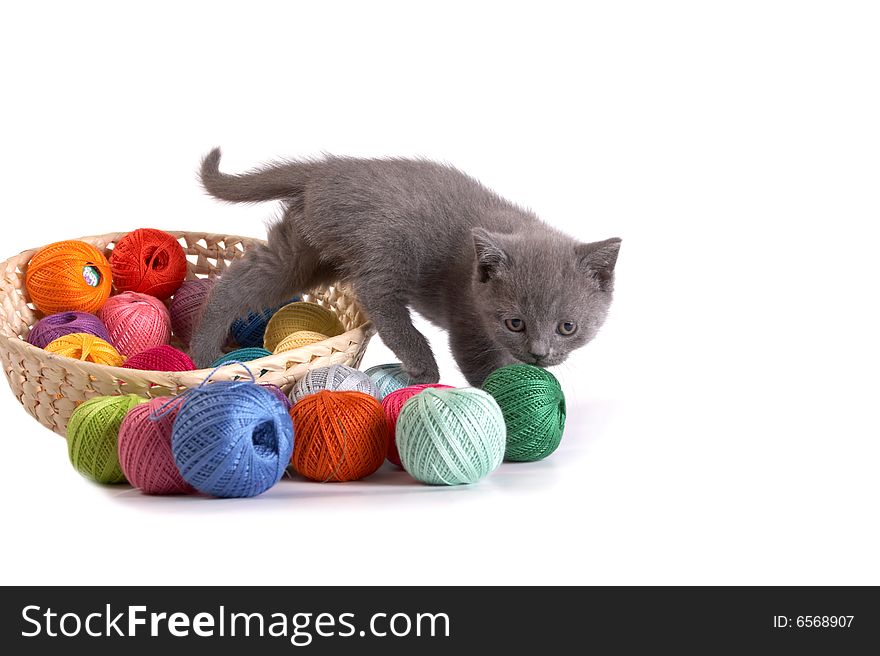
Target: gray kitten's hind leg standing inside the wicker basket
(265,276)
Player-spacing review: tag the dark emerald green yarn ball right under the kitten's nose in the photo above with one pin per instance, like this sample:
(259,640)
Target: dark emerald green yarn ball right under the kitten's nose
(533,406)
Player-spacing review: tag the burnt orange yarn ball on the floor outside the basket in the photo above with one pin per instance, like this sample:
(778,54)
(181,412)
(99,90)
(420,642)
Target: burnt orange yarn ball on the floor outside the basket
(340,436)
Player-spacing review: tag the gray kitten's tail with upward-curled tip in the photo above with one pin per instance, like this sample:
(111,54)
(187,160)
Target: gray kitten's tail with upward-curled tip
(274,182)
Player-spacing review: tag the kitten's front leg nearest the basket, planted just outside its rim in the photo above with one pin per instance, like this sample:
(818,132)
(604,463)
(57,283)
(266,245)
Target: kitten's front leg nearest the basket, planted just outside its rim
(392,319)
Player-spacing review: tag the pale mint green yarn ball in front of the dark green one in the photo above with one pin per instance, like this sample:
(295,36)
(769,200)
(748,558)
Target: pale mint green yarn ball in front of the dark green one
(450,437)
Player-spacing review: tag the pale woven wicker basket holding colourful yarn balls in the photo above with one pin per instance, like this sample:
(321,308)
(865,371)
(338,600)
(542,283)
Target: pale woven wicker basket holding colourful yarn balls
(50,386)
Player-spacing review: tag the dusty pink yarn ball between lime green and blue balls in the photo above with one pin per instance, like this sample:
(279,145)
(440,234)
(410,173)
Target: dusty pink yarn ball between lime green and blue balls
(144,448)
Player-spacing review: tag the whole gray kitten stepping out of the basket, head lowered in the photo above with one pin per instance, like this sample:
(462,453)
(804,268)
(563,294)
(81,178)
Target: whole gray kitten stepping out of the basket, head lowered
(413,233)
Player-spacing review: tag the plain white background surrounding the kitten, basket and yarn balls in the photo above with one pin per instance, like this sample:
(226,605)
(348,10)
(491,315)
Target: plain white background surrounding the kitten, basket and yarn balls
(723,426)
